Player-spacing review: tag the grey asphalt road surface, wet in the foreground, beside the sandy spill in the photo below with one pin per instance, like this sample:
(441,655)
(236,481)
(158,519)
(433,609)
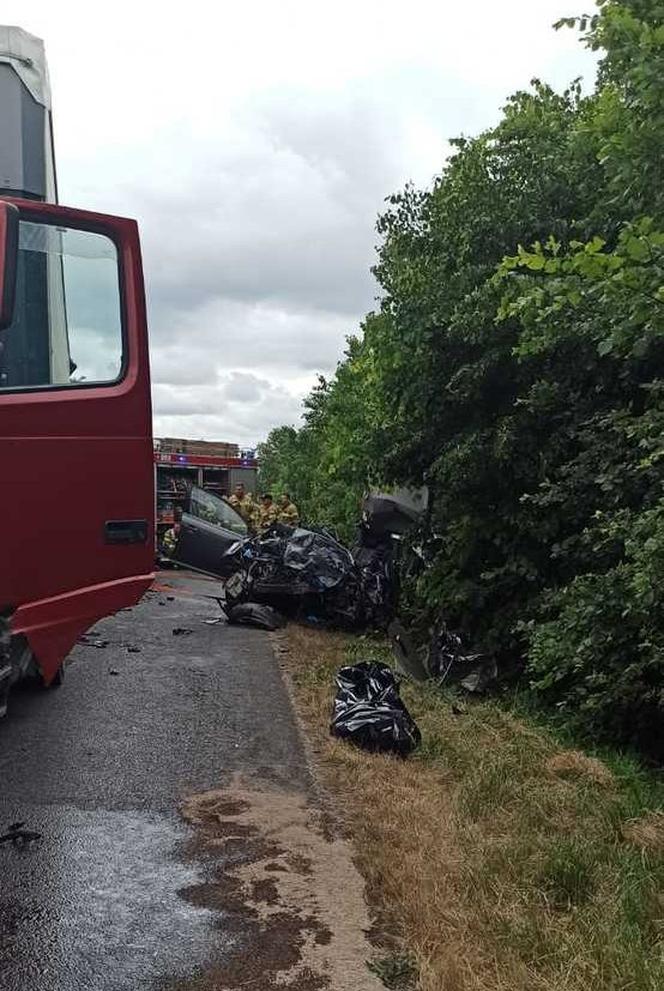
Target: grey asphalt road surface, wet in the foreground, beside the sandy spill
(100,766)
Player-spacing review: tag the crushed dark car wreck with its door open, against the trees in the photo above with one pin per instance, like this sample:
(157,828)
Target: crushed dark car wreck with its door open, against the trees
(305,573)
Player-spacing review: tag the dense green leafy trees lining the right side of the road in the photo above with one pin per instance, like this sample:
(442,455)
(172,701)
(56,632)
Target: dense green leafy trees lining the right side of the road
(516,366)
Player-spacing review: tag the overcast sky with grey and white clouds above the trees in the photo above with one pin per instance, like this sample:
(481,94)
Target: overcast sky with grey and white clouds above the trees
(255,143)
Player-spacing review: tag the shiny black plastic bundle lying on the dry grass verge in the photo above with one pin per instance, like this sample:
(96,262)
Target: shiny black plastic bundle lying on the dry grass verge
(369,712)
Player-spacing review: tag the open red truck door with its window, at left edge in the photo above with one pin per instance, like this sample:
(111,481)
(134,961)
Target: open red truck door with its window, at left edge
(77,486)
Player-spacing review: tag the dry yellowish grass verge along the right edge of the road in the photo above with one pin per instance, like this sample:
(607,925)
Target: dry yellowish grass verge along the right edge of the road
(497,859)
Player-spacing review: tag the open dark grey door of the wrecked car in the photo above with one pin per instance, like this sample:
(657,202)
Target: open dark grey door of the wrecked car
(209,527)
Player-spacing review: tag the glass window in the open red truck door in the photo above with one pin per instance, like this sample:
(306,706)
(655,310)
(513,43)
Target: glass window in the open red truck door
(67,327)
